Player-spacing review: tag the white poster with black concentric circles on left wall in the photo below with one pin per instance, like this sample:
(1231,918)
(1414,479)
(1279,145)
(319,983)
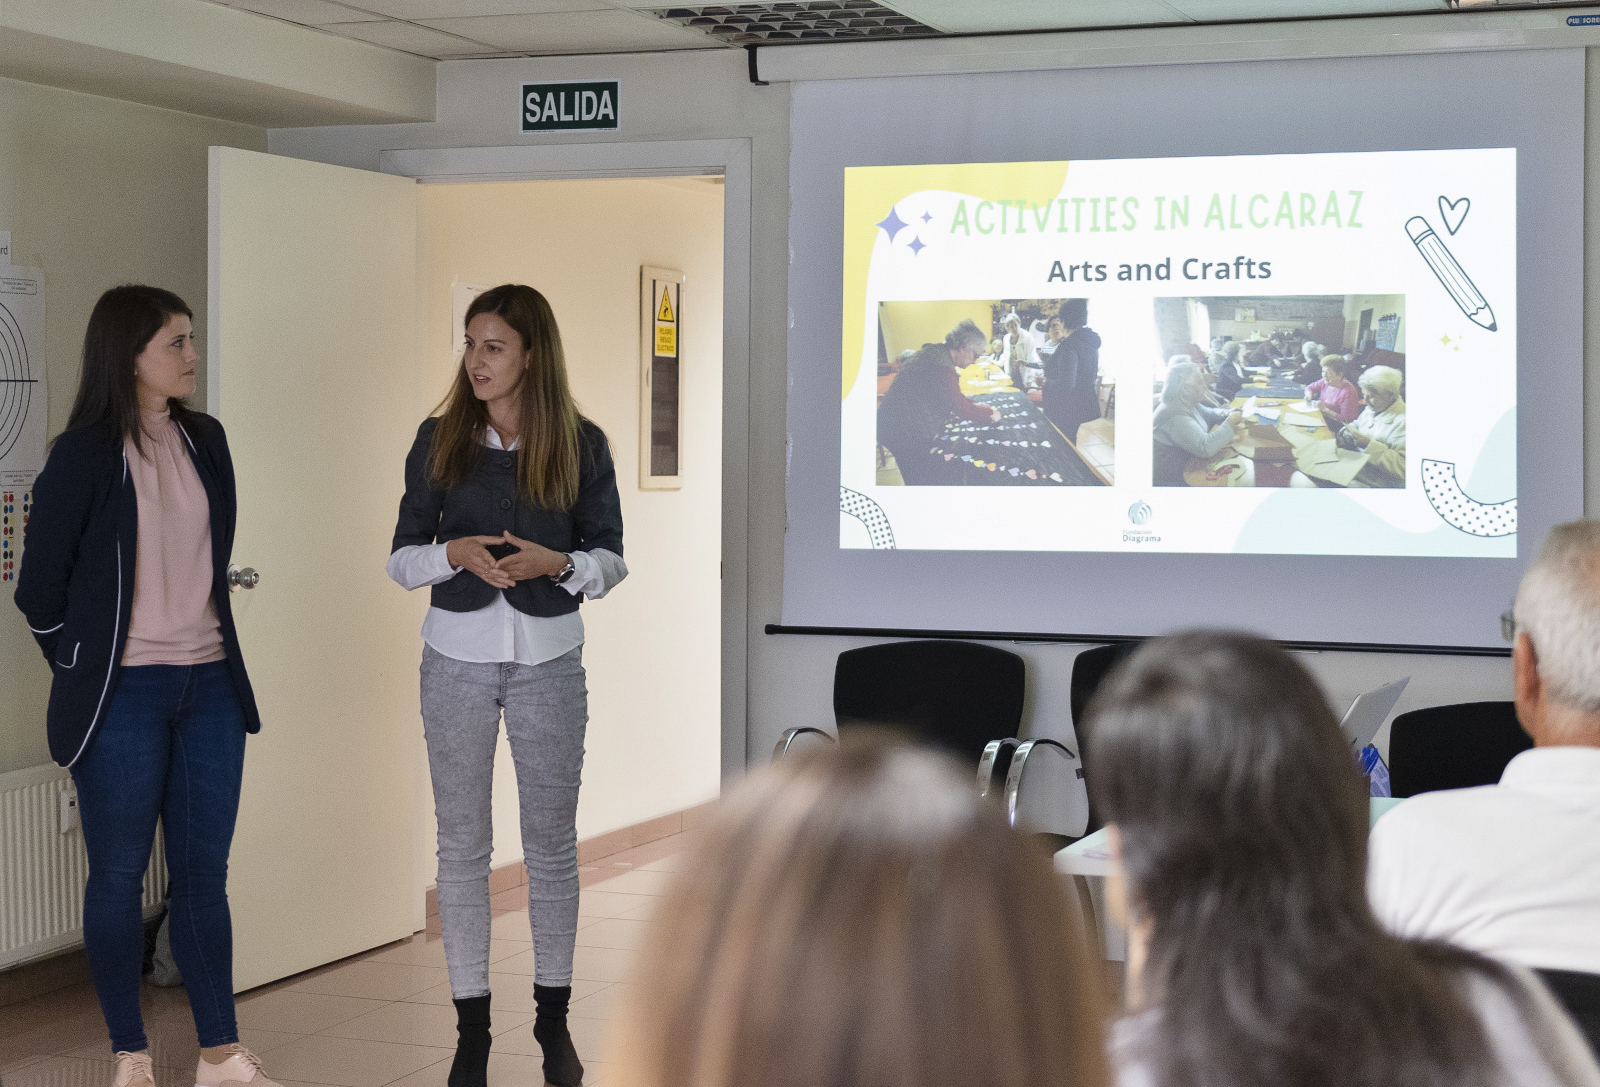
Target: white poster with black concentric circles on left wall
(22,377)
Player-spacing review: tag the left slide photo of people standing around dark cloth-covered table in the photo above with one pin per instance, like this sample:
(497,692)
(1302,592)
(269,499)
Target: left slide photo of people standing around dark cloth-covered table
(993,393)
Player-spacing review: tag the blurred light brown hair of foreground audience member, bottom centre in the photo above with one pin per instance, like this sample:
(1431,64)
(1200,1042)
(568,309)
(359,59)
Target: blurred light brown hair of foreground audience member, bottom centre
(860,918)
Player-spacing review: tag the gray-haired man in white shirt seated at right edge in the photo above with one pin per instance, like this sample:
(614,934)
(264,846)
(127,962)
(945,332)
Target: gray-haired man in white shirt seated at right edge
(1513,870)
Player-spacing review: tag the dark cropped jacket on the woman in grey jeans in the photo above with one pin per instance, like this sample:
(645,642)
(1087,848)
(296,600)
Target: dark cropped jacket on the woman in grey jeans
(490,502)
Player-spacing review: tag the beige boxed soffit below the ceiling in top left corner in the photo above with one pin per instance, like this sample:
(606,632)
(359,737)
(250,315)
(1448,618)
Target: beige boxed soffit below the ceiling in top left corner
(209,60)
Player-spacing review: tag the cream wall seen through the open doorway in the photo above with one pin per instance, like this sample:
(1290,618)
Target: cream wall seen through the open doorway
(654,644)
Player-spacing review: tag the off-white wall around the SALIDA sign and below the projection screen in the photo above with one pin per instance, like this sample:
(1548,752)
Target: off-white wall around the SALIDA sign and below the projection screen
(710,97)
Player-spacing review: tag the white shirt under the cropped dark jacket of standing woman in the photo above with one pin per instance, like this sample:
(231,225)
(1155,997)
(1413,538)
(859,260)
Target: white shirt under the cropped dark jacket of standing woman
(500,633)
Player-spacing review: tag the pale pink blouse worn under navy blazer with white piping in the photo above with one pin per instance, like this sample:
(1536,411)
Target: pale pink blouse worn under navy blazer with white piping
(174,614)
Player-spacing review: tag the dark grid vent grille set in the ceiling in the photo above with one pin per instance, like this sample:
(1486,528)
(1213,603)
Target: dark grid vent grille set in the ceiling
(798,22)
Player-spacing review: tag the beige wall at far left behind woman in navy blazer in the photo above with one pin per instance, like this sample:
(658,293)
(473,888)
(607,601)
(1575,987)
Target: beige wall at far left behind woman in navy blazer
(97,193)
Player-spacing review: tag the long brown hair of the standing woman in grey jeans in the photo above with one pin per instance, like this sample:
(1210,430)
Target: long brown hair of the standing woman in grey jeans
(548,452)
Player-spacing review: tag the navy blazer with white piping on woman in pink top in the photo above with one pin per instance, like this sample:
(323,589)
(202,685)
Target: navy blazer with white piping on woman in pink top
(76,584)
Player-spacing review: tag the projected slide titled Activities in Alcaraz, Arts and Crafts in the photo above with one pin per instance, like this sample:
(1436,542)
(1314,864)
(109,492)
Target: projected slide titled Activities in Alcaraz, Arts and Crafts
(1249,355)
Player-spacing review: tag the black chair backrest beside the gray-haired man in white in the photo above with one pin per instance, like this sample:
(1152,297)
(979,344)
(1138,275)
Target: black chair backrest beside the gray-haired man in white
(1454,747)
